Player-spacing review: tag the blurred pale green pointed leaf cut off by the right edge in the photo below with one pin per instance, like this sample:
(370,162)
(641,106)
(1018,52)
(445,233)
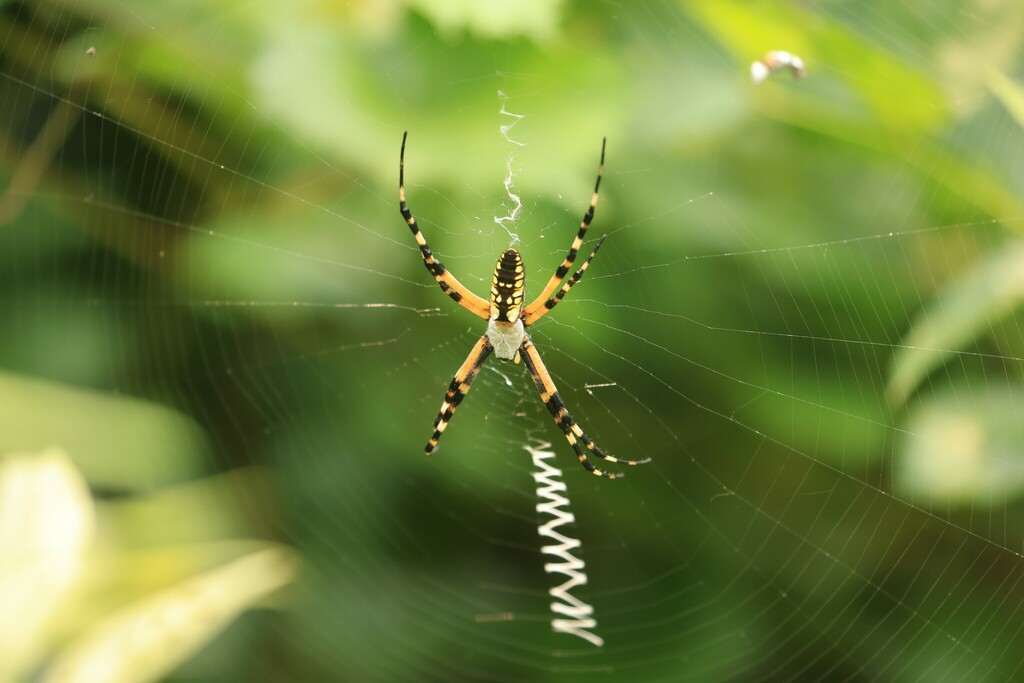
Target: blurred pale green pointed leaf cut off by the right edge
(964,310)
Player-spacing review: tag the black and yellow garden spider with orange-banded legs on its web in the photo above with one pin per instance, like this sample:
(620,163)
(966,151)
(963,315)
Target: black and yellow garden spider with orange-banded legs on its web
(507,322)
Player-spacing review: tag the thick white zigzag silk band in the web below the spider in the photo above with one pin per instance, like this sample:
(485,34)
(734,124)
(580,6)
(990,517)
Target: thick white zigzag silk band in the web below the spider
(573,615)
